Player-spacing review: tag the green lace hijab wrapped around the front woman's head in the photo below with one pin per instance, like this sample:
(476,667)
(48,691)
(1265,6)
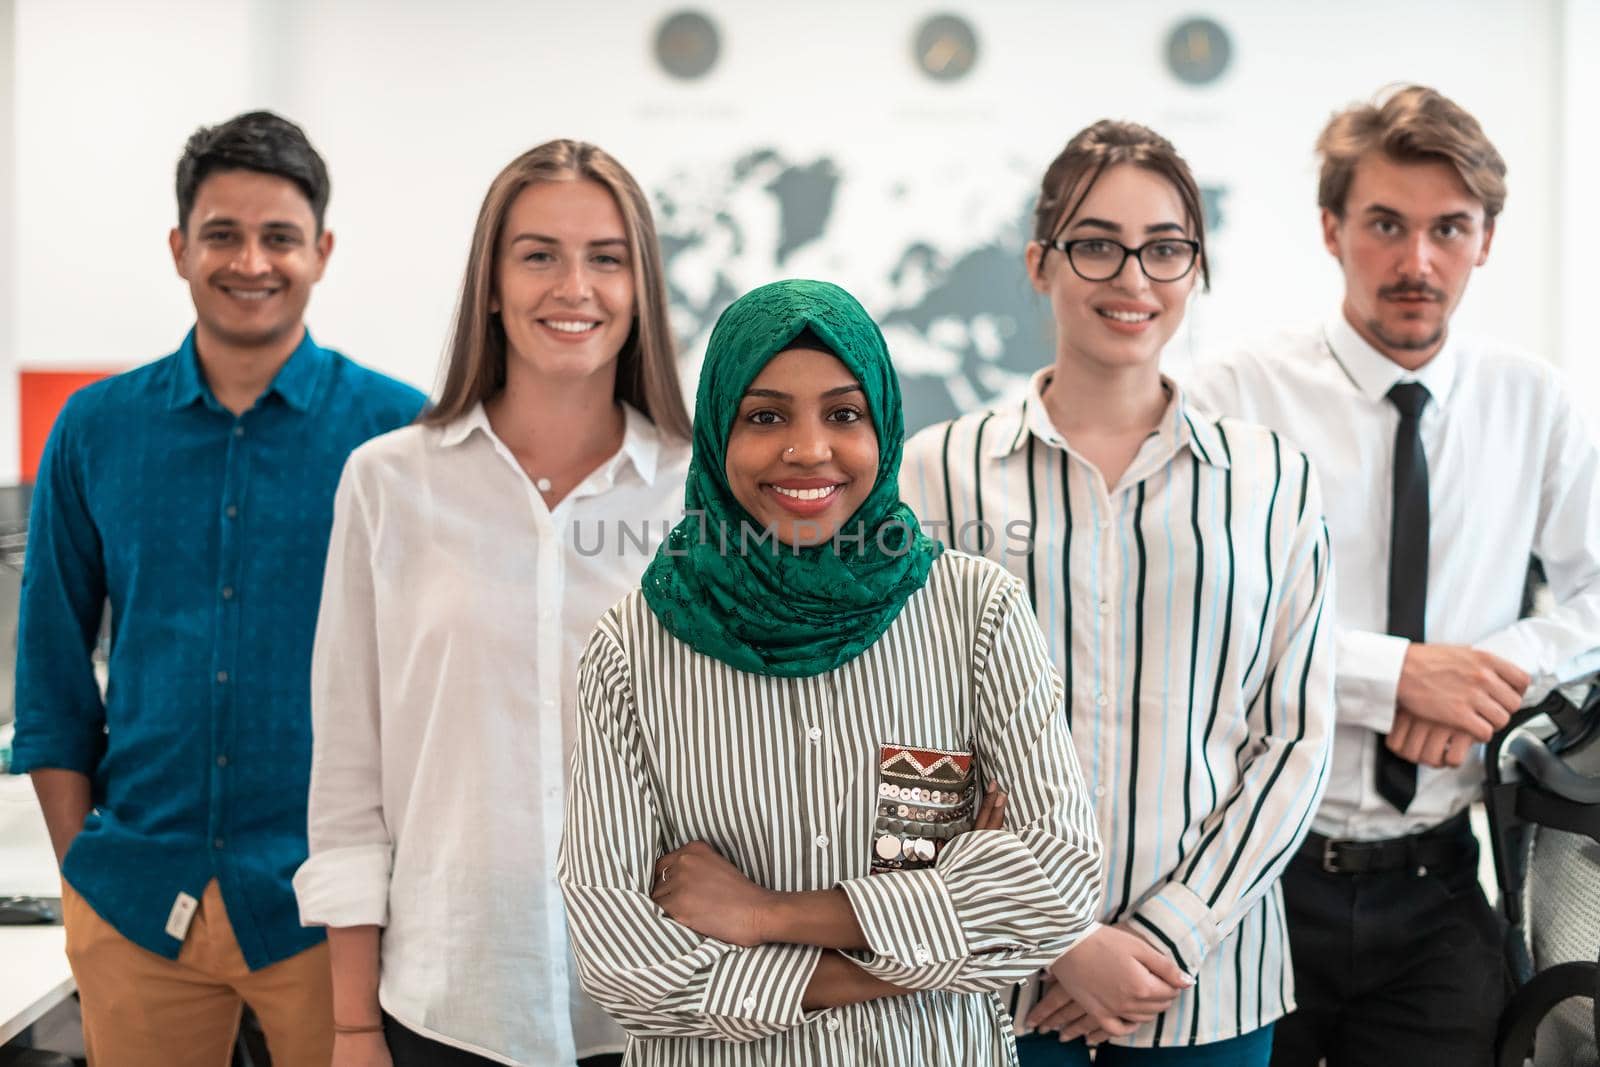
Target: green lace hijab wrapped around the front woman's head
(767,607)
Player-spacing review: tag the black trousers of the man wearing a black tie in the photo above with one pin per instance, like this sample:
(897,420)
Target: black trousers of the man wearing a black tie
(1393,969)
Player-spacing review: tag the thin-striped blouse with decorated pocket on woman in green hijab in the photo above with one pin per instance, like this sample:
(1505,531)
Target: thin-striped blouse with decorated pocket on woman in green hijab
(802,783)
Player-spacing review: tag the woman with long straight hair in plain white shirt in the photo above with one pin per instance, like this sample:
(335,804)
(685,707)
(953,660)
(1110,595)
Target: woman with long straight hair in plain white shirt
(471,557)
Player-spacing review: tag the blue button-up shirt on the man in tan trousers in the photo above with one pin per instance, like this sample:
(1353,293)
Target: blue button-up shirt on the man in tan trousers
(207,535)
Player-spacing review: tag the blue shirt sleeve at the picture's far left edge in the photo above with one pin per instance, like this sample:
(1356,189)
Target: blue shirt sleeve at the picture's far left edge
(60,714)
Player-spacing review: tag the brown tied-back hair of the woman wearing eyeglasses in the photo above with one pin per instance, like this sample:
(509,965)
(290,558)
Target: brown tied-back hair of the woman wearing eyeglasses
(1089,154)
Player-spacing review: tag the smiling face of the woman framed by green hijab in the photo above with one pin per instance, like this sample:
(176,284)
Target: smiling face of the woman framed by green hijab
(804,454)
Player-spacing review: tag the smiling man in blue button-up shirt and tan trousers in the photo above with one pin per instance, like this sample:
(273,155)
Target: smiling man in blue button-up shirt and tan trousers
(194,497)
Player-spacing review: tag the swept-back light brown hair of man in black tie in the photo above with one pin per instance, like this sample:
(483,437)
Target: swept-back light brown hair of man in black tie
(1412,126)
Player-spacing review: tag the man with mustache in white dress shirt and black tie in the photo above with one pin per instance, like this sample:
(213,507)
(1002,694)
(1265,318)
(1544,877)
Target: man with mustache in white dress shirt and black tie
(1447,462)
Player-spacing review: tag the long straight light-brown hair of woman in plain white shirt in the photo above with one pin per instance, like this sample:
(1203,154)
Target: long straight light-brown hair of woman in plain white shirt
(647,375)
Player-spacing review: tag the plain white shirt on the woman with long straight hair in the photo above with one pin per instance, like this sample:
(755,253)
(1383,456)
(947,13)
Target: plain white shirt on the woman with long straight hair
(444,705)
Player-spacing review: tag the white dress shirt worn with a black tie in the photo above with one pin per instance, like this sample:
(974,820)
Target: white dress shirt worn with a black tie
(1513,473)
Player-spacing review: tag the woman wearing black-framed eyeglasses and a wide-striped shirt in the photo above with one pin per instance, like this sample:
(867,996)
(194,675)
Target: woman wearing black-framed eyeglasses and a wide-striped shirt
(1178,567)
